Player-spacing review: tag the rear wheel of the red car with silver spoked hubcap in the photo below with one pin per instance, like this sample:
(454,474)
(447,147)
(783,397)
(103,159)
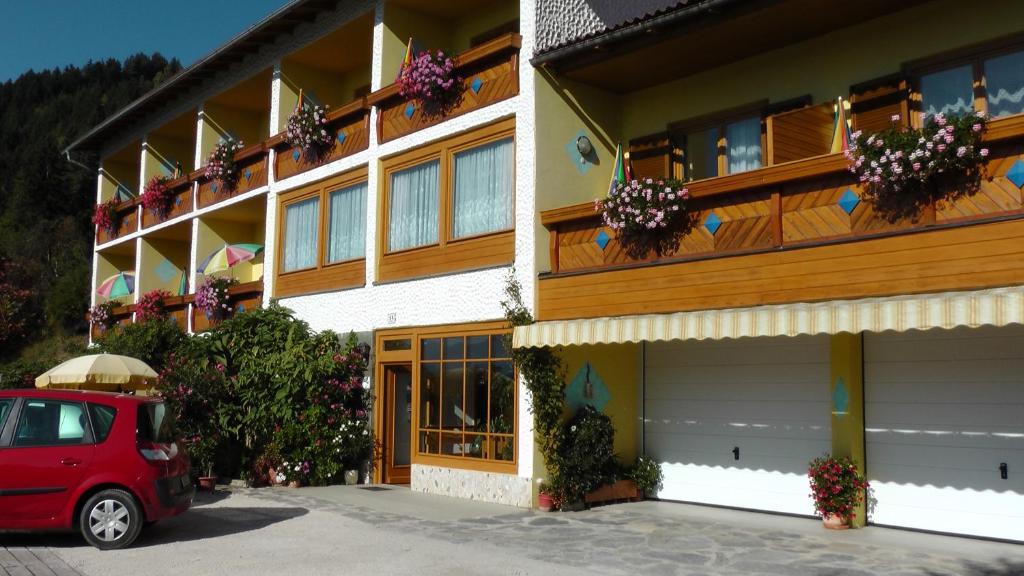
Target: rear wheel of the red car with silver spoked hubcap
(111,520)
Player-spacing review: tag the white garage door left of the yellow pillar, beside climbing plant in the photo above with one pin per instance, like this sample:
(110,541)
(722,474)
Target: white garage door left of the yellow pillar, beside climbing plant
(766,397)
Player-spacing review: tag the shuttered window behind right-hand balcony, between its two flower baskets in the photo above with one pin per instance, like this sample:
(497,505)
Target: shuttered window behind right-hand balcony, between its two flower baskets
(724,148)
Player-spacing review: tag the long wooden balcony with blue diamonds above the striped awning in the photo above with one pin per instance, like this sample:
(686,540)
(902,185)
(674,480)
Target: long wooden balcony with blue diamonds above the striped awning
(783,235)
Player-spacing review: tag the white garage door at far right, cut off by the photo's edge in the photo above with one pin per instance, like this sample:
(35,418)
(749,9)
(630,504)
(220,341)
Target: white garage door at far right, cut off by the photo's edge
(945,412)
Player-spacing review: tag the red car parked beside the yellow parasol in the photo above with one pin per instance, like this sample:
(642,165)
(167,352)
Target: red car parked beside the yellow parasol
(103,464)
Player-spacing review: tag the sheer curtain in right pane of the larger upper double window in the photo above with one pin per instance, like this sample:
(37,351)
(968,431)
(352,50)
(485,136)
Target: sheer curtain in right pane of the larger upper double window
(484,190)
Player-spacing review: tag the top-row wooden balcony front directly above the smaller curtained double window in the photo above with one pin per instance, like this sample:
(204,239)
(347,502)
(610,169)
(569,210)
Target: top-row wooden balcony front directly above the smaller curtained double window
(352,124)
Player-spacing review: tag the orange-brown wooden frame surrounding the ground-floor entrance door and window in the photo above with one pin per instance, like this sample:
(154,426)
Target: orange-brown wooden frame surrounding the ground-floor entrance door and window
(414,358)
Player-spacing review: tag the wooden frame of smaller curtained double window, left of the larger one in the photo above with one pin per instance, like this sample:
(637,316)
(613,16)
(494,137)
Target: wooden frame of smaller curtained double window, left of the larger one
(323,276)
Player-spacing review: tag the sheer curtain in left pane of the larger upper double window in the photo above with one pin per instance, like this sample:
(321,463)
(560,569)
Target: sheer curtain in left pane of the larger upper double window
(413,219)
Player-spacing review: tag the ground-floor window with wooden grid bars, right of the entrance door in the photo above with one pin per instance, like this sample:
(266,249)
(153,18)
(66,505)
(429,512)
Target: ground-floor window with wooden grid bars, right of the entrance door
(466,398)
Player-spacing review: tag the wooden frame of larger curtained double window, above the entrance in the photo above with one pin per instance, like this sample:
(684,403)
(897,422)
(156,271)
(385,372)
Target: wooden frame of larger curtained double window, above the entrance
(449,255)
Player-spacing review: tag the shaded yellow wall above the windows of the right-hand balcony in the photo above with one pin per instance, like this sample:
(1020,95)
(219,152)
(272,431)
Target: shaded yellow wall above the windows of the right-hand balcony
(824,67)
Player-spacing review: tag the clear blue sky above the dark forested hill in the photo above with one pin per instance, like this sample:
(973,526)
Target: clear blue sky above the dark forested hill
(46,34)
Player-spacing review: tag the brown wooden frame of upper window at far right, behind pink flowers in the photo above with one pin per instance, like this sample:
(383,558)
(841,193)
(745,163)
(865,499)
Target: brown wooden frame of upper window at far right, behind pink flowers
(974,57)
